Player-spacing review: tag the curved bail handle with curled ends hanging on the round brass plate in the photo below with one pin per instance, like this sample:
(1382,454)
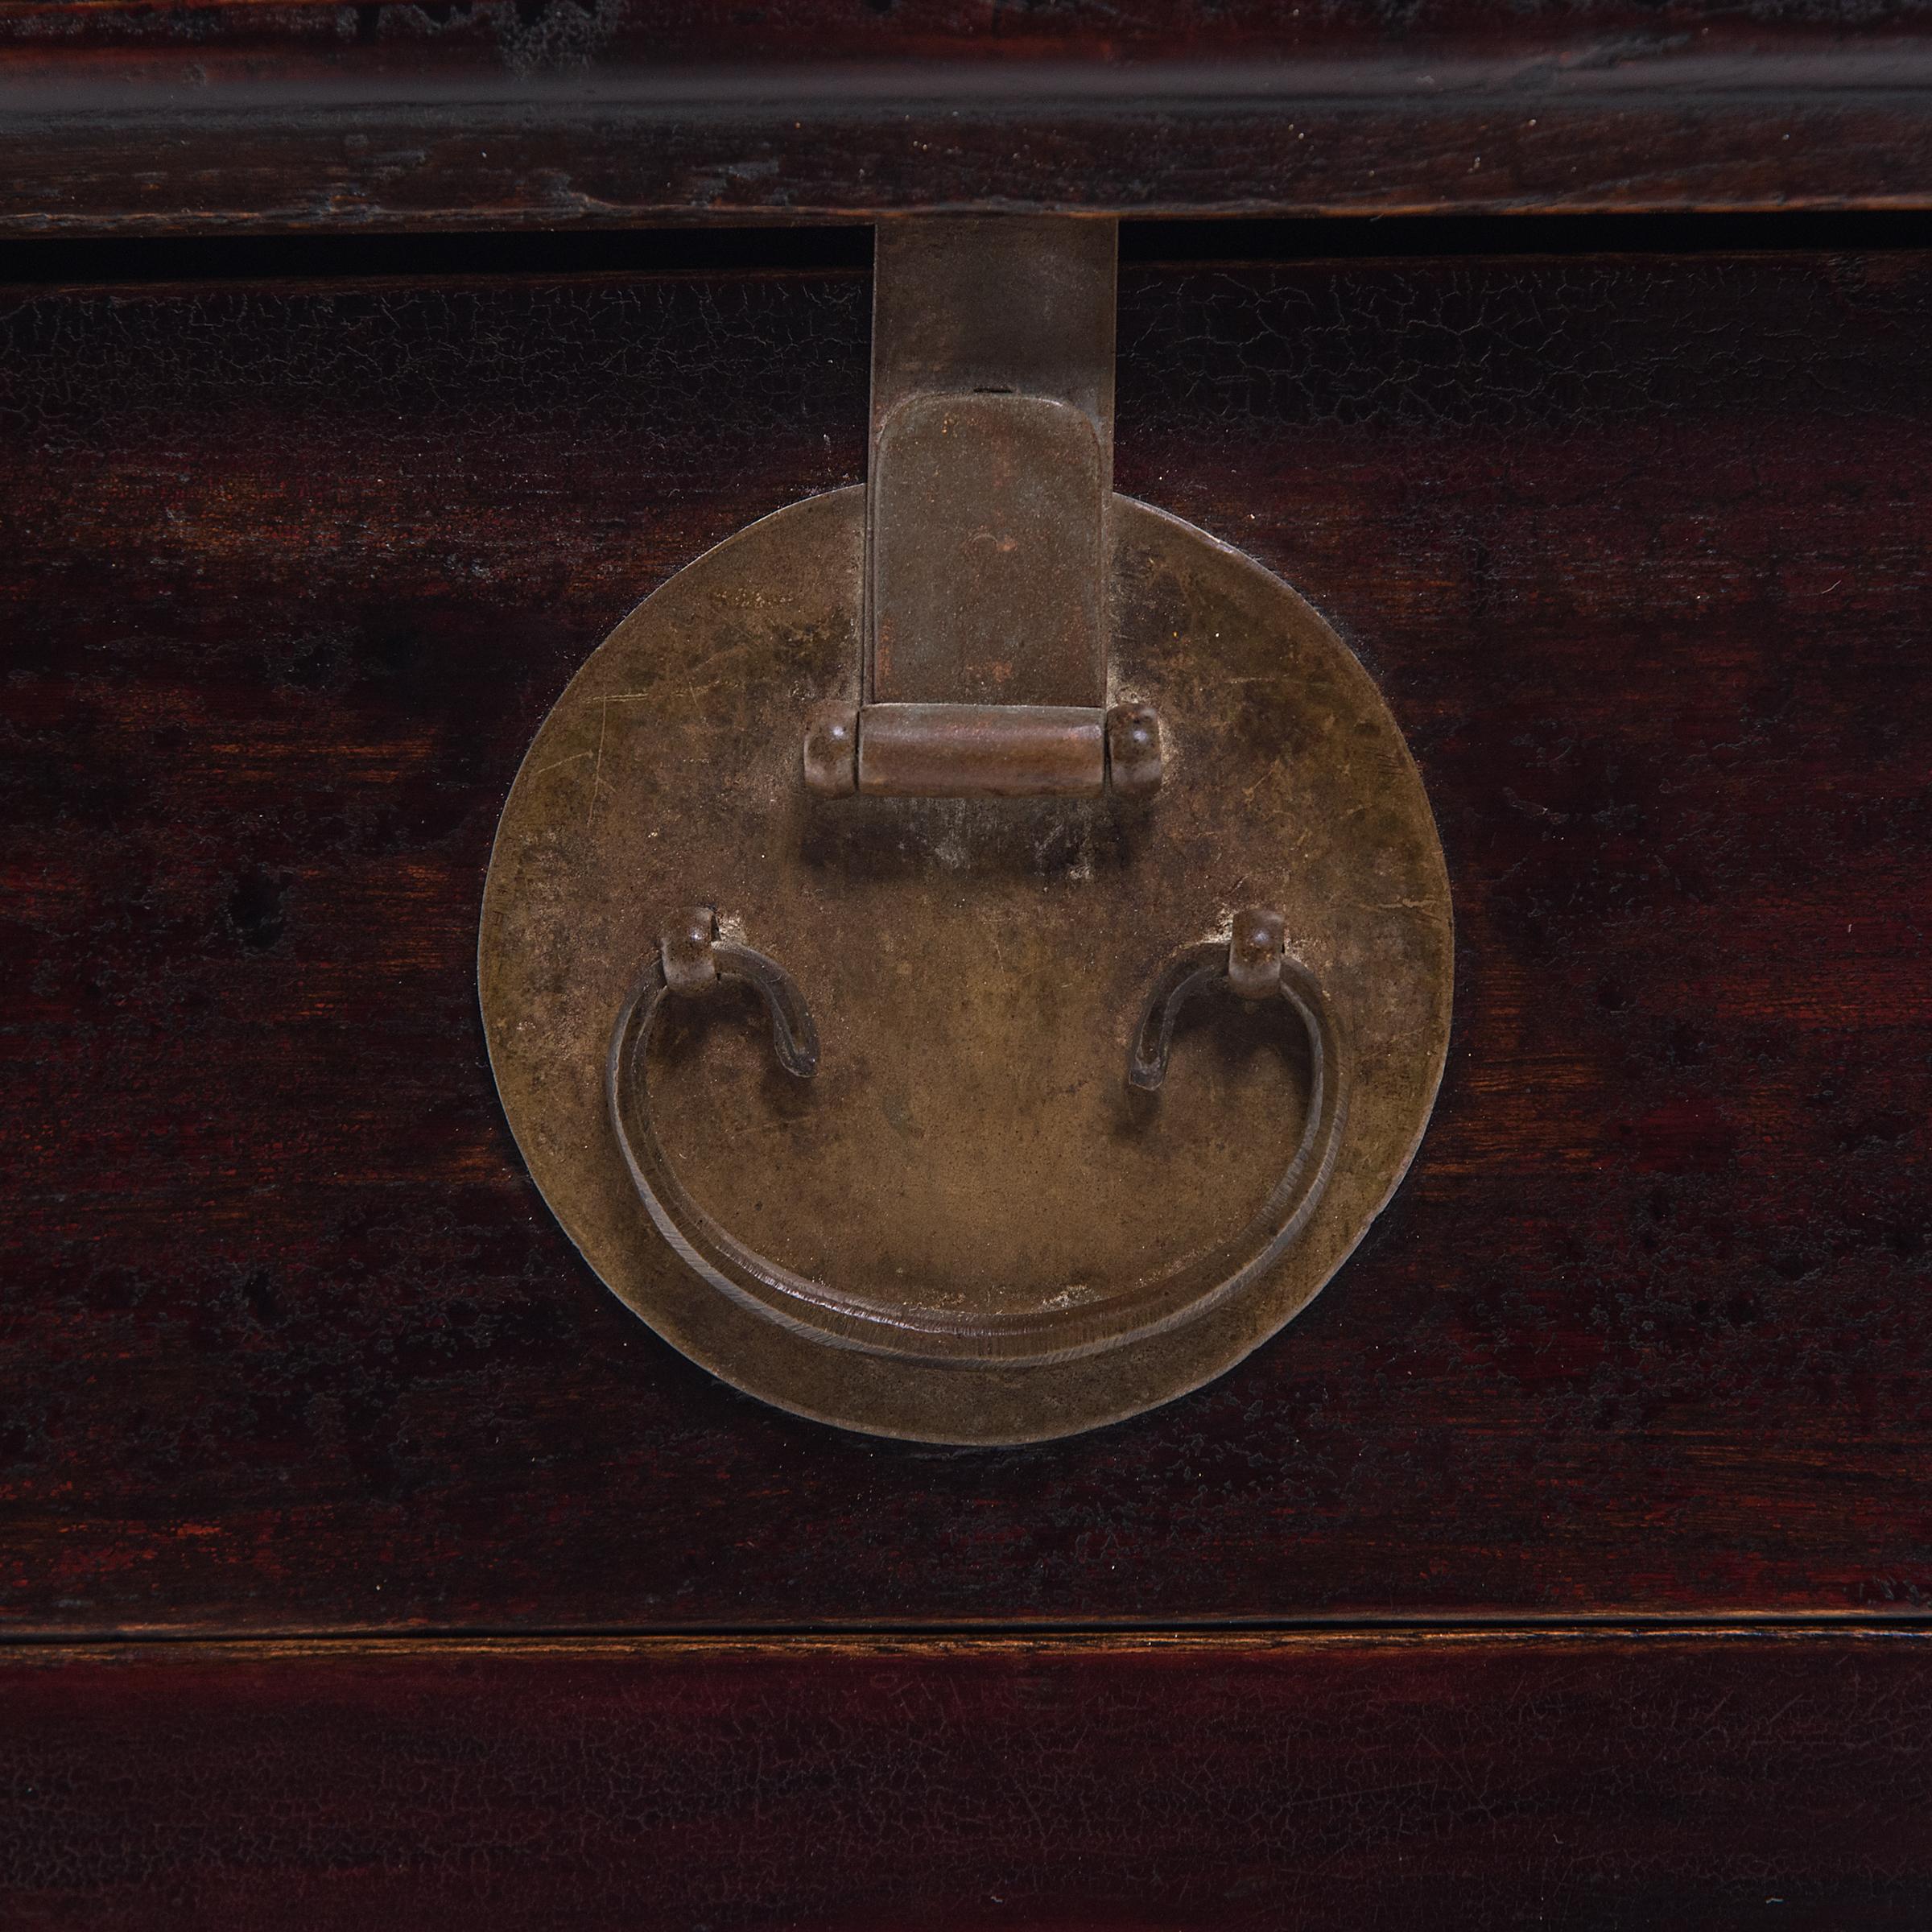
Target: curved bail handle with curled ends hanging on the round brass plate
(693,959)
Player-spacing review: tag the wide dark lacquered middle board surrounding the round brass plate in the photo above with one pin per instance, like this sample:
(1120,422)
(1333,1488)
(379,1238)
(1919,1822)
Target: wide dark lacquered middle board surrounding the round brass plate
(1639,554)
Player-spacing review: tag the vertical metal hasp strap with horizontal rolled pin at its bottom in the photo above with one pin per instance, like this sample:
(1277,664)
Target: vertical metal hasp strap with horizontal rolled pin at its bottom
(986,613)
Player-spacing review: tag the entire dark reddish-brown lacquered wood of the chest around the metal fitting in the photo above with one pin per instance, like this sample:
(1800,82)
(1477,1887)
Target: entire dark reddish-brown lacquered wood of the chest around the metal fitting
(362,1556)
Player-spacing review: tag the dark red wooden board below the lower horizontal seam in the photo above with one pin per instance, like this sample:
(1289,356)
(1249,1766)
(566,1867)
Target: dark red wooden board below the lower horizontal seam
(1585,1782)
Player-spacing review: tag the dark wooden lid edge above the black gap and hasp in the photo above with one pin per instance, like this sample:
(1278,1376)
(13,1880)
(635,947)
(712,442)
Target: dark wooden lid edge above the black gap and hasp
(125,119)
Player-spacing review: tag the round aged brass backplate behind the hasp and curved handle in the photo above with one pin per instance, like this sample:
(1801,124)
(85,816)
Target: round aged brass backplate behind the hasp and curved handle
(969,1147)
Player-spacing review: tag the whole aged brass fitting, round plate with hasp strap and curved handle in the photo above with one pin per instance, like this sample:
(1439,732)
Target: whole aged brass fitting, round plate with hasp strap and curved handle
(1046,1071)
